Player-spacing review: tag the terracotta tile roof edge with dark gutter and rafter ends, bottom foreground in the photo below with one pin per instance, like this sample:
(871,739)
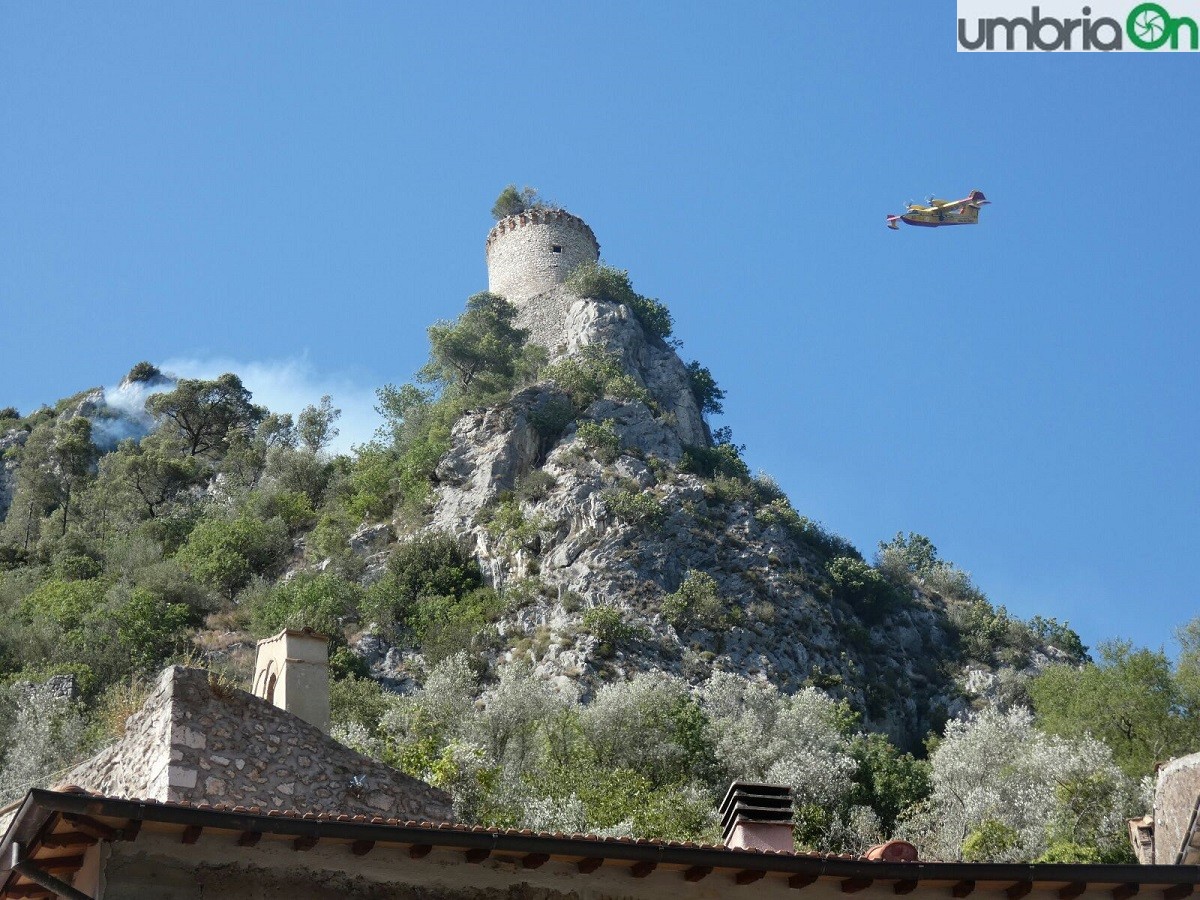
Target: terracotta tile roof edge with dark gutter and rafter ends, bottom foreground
(112,819)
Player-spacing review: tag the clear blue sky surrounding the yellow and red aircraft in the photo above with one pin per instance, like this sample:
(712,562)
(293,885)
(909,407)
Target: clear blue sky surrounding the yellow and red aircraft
(298,190)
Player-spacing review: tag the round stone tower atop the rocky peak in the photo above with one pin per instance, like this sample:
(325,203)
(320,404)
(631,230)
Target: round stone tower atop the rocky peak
(533,251)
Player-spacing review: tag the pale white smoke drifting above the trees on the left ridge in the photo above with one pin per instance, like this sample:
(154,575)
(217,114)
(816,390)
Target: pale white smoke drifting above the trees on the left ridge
(289,387)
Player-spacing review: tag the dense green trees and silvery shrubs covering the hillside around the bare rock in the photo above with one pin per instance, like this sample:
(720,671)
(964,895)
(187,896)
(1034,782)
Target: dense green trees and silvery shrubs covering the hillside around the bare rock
(171,547)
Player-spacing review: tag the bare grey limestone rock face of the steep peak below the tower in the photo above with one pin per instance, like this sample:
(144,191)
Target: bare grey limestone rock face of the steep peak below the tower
(623,531)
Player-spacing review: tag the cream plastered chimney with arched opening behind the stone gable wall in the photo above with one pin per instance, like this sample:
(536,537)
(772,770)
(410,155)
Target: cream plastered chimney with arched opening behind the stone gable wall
(292,673)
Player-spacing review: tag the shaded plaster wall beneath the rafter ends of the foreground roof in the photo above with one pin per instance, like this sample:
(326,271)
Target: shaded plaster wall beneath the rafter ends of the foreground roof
(158,867)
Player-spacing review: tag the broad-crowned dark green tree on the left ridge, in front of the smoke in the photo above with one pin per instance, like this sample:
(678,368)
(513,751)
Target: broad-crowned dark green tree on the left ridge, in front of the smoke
(207,413)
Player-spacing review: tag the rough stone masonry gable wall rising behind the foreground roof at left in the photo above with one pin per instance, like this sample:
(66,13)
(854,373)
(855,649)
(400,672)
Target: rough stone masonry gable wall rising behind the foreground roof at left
(193,743)
